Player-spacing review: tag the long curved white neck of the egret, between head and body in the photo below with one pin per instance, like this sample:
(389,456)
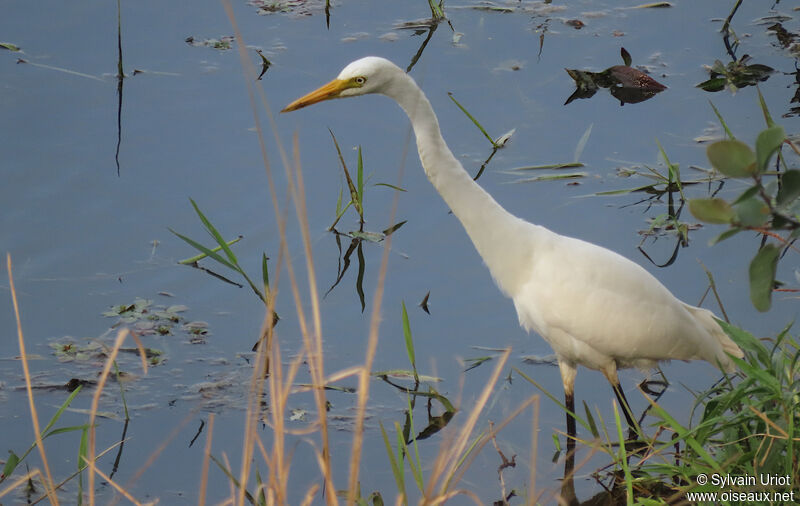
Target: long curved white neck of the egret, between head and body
(491,228)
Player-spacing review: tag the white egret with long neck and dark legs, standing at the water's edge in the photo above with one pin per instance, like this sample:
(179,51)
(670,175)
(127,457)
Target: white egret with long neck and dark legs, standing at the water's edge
(594,307)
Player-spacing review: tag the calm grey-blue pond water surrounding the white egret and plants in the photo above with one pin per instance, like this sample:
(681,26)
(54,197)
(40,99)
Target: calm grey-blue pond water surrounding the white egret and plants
(86,235)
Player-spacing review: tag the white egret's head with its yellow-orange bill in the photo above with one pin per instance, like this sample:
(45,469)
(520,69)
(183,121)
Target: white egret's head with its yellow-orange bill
(367,75)
